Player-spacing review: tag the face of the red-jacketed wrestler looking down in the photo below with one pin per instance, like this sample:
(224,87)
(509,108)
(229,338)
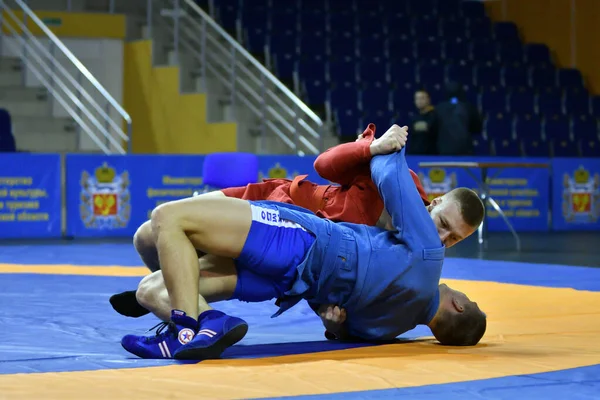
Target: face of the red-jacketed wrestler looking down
(446,215)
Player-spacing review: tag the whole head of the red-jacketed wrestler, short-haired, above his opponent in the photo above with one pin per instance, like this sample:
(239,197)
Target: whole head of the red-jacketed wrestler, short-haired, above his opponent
(457,214)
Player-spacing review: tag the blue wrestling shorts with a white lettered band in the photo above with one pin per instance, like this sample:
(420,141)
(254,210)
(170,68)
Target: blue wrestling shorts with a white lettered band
(266,268)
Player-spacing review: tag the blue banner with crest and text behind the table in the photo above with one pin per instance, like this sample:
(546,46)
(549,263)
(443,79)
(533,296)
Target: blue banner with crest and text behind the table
(521,193)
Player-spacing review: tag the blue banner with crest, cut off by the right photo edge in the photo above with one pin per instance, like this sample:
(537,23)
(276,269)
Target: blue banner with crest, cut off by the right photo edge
(576,194)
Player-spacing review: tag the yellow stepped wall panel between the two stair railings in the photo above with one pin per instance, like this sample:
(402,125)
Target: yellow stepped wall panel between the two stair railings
(164,120)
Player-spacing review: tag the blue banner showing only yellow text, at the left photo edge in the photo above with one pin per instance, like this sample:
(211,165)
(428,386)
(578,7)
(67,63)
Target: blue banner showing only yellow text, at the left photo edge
(30,195)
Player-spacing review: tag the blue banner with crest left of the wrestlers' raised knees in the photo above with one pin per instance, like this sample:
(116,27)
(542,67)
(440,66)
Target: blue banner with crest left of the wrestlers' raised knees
(114,195)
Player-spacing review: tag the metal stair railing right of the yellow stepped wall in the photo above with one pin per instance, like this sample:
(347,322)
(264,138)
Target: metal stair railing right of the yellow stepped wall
(276,109)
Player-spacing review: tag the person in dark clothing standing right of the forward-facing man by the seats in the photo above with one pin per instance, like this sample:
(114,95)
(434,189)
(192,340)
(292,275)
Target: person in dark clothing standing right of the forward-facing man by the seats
(458,122)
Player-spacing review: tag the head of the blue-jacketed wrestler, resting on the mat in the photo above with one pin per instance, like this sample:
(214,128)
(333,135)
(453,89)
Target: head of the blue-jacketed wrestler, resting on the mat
(458,321)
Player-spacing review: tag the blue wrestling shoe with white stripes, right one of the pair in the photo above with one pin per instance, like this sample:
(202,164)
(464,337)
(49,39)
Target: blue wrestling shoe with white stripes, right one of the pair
(217,331)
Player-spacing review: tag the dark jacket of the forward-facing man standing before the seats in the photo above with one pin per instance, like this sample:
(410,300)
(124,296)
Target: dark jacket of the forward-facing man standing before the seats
(423,133)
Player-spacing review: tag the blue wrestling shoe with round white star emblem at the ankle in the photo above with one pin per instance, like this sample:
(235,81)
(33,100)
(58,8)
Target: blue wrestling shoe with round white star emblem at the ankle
(179,331)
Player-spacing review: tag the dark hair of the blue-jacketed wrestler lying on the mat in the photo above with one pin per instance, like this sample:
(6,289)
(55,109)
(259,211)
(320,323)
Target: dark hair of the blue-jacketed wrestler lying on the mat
(461,329)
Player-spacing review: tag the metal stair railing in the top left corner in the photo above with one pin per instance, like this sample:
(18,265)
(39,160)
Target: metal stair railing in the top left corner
(67,88)
